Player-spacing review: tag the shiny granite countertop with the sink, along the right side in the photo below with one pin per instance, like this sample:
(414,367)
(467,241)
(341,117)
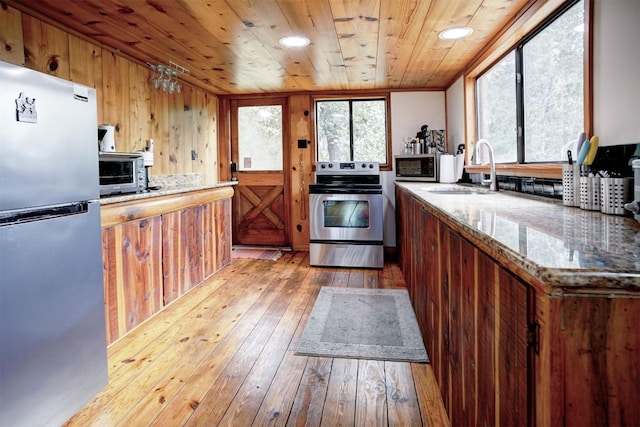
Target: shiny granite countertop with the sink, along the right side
(561,246)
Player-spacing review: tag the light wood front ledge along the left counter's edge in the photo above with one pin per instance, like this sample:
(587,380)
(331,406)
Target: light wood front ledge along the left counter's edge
(120,209)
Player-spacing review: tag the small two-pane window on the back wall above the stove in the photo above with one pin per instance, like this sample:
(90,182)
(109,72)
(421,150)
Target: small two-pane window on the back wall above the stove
(352,130)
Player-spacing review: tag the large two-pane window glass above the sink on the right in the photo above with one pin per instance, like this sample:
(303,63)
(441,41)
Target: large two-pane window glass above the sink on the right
(530,104)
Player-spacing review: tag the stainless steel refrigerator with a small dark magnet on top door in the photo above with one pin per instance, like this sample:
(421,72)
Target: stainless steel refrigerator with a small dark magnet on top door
(52,325)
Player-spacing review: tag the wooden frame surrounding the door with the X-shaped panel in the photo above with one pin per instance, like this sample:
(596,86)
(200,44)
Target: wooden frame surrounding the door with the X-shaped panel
(233,105)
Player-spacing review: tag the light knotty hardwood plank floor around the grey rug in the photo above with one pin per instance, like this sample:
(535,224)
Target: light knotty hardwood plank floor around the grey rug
(224,355)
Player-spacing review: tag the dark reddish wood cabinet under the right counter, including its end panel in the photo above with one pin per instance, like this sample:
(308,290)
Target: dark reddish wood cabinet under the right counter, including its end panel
(506,351)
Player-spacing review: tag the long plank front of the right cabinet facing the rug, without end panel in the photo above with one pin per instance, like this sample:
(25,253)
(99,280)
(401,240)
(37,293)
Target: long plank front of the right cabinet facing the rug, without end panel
(473,315)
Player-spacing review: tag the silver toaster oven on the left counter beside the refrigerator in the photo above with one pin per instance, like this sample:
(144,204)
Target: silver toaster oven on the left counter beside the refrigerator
(122,173)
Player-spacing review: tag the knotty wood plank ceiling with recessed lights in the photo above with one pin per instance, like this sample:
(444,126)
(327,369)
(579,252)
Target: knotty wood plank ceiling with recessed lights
(231,46)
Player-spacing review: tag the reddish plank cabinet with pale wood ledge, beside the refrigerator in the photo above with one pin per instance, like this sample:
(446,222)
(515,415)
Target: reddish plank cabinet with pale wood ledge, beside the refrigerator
(157,249)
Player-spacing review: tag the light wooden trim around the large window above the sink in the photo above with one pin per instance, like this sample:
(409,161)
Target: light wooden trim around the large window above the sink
(529,21)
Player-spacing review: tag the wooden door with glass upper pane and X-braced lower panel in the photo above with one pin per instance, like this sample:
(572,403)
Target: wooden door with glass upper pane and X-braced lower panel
(259,130)
